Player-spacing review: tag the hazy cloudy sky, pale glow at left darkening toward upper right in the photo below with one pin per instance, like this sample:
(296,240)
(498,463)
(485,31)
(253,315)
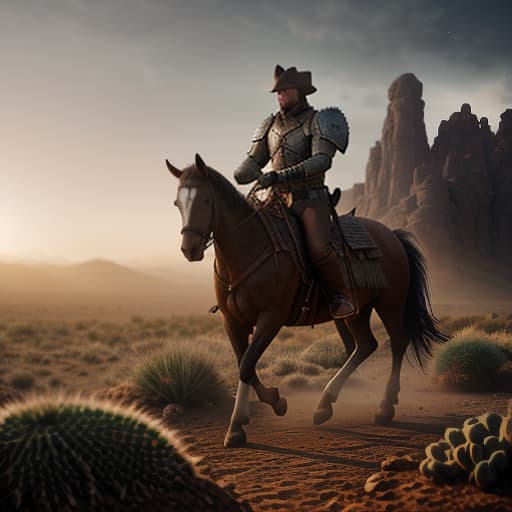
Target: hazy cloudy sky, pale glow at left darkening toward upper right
(95,94)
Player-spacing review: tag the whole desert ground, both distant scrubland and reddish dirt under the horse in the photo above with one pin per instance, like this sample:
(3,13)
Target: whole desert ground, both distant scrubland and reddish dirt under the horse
(289,464)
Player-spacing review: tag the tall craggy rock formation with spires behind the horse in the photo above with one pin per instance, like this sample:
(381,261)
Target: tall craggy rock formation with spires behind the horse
(455,196)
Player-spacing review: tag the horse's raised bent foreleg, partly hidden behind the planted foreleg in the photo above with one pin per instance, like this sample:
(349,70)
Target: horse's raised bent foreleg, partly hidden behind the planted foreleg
(239,336)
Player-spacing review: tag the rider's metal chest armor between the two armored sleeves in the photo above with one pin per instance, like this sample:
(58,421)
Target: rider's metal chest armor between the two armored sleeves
(289,139)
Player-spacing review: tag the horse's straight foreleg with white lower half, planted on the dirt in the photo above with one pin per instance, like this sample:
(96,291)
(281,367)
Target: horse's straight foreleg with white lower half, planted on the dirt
(266,328)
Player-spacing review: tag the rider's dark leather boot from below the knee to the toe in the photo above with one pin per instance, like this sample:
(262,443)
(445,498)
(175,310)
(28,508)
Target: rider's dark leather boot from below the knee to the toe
(331,276)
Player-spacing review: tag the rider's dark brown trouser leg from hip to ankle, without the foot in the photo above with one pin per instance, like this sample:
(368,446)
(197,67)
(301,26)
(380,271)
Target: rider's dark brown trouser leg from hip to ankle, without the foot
(314,215)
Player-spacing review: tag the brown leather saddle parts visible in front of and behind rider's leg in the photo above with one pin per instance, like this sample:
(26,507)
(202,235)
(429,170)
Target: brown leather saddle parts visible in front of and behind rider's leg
(358,252)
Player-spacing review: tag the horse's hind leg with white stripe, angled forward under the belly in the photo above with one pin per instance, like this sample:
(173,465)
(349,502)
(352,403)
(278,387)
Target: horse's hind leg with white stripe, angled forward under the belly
(365,344)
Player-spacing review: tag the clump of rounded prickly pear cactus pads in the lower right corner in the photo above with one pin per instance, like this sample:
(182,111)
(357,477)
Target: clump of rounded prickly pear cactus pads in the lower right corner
(479,452)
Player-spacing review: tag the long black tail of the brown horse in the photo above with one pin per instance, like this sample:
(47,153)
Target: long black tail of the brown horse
(420,322)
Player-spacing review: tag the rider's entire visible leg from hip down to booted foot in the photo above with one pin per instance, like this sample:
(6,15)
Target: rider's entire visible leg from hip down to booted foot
(315,217)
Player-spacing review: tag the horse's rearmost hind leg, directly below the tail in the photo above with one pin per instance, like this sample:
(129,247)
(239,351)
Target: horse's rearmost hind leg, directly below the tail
(393,321)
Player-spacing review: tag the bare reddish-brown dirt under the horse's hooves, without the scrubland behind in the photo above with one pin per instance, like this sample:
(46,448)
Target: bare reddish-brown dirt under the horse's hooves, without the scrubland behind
(291,465)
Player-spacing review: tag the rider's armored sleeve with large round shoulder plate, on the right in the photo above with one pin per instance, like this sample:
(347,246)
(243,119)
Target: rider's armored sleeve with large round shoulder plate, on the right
(329,131)
